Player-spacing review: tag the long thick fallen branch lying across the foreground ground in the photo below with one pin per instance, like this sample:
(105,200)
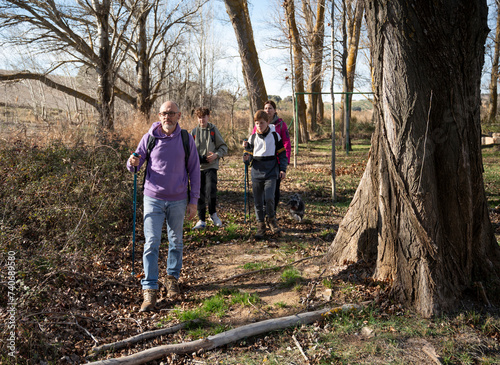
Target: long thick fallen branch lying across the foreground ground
(224,338)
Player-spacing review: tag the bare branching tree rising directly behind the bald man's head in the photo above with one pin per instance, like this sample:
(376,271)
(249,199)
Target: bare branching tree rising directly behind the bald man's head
(156,35)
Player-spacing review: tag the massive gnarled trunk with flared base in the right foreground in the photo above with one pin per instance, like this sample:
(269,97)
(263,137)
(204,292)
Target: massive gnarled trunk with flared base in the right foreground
(420,212)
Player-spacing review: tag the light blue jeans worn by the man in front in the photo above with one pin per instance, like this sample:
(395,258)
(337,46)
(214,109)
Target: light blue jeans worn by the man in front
(155,212)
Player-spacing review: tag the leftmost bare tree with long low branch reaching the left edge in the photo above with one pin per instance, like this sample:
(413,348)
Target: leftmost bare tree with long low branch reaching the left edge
(81,33)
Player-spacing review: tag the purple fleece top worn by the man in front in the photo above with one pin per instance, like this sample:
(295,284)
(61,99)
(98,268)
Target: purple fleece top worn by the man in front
(166,175)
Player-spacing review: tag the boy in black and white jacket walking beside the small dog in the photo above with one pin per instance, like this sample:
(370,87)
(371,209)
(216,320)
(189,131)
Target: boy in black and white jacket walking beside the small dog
(265,151)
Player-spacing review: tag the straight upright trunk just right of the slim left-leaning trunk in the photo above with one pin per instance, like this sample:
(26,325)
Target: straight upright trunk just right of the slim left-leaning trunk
(315,108)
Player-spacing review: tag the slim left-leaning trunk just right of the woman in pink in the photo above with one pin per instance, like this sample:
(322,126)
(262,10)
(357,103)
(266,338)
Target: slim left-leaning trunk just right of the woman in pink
(298,69)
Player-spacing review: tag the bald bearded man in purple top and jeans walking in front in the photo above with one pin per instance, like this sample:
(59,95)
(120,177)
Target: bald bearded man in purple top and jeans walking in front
(166,198)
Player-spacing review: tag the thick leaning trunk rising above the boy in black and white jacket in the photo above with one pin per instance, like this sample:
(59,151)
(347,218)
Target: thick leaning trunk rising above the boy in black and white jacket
(240,18)
